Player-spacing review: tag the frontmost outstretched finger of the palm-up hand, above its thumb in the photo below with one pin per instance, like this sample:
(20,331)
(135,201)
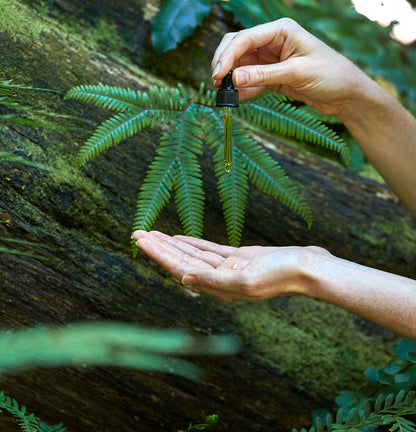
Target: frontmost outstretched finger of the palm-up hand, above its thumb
(172,259)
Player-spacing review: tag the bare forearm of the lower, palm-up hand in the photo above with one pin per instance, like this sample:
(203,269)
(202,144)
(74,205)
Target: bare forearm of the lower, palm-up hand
(384,298)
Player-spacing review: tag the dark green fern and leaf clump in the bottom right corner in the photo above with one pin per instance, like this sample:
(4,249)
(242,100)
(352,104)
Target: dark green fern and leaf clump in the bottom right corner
(387,400)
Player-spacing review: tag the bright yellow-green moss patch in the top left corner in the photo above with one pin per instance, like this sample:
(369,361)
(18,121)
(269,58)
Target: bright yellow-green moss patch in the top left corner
(19,21)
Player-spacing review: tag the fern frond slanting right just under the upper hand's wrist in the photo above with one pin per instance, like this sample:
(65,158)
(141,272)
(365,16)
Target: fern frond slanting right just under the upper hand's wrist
(271,113)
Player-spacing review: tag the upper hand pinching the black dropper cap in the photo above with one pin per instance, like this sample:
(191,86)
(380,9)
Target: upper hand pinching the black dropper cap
(284,57)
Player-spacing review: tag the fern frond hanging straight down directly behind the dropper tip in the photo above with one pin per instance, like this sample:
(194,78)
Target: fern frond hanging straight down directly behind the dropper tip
(233,190)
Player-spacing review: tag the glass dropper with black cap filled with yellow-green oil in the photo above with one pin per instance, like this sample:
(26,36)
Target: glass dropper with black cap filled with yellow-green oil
(227,97)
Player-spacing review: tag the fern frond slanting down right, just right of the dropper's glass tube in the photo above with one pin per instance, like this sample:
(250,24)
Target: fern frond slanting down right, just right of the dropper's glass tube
(268,175)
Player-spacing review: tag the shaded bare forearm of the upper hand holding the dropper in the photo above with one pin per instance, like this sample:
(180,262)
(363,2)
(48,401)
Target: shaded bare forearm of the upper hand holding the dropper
(386,132)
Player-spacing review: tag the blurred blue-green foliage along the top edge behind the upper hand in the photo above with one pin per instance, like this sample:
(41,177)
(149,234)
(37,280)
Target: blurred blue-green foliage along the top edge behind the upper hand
(334,21)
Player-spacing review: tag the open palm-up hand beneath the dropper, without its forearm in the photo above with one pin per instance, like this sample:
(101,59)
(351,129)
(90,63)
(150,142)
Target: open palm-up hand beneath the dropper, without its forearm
(231,274)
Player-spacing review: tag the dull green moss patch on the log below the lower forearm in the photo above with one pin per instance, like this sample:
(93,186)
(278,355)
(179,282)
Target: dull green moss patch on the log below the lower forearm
(317,345)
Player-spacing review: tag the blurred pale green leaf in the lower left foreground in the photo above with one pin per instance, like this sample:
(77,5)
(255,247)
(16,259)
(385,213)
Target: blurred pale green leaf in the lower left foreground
(108,343)
